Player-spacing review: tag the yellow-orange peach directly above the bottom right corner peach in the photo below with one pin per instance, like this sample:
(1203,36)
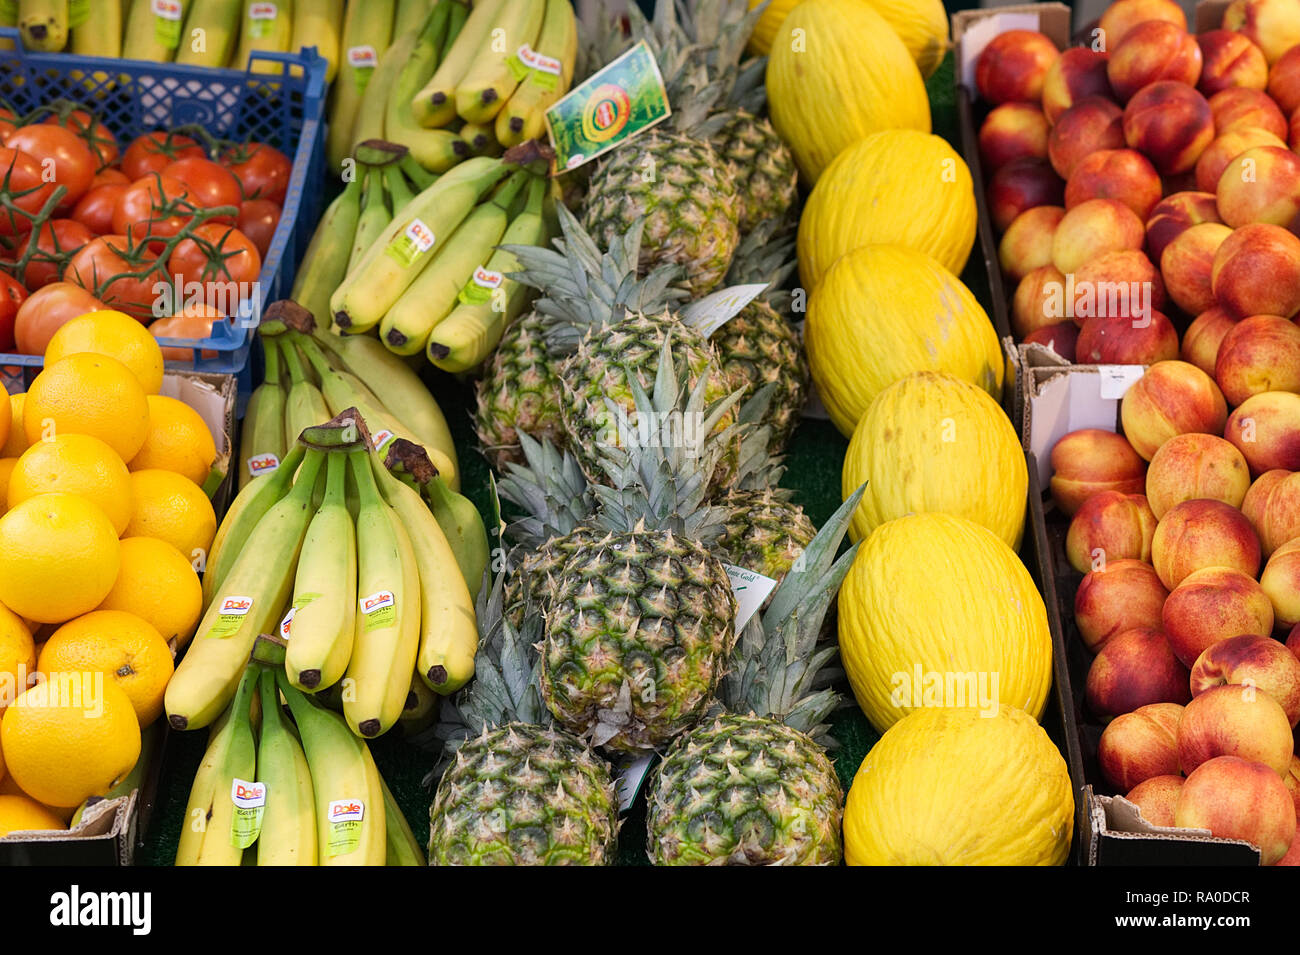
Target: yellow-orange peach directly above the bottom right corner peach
(1236,722)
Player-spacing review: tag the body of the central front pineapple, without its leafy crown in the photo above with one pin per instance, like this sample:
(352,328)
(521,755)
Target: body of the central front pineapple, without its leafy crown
(640,624)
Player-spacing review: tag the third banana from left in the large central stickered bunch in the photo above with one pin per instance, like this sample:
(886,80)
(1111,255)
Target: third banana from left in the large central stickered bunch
(388,627)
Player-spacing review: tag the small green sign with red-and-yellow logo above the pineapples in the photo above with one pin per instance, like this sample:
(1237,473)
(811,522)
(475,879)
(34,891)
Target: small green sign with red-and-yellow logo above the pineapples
(616,105)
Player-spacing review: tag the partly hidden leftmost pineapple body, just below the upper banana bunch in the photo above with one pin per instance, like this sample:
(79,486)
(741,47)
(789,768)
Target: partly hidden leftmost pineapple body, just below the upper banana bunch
(521,393)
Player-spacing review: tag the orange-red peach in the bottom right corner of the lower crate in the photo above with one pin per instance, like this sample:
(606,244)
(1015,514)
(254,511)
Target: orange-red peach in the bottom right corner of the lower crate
(1240,800)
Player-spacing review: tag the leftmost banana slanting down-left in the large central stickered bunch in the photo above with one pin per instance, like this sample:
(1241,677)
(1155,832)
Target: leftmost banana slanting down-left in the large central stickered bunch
(250,601)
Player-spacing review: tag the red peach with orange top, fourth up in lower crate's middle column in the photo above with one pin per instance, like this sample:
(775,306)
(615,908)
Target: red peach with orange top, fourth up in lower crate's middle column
(1214,605)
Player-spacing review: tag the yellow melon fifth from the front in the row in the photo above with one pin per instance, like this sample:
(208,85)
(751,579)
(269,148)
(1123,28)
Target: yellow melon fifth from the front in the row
(898,188)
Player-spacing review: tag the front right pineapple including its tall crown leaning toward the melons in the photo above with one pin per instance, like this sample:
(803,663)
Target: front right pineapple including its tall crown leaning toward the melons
(755,787)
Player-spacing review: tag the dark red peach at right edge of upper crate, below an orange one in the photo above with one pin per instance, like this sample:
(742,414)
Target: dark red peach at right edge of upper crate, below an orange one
(1258,272)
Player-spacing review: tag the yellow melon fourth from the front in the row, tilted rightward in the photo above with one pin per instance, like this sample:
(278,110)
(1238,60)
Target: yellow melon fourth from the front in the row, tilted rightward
(883,312)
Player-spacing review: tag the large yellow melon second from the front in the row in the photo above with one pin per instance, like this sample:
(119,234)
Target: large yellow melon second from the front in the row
(938,611)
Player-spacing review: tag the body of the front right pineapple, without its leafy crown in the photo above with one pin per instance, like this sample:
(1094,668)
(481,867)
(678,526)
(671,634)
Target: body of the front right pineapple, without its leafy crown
(746,791)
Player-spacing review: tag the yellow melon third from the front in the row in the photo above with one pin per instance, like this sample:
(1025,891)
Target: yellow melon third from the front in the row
(934,442)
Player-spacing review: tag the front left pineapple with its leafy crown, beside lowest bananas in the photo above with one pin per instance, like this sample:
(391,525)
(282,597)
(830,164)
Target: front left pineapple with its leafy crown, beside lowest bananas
(518,792)
